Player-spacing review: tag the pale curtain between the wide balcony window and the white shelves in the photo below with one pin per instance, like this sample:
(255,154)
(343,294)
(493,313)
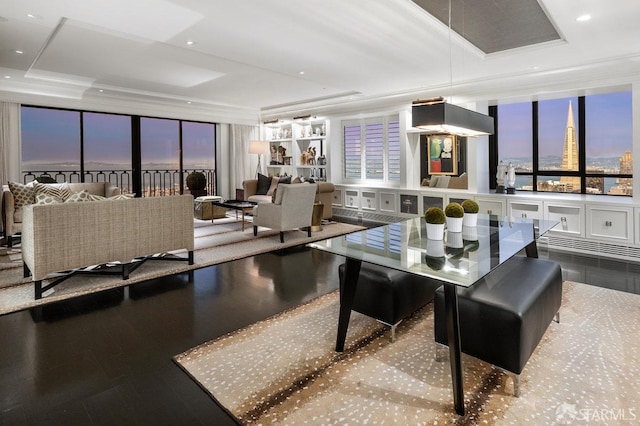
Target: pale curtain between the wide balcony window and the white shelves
(240,161)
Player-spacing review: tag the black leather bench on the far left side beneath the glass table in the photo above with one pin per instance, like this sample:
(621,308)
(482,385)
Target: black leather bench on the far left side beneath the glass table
(389,295)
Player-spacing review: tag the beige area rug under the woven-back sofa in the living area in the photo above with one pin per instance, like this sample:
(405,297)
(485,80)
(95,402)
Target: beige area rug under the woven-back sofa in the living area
(215,243)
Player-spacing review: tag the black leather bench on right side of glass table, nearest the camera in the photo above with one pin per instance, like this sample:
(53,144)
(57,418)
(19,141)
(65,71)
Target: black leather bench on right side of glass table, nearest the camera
(504,315)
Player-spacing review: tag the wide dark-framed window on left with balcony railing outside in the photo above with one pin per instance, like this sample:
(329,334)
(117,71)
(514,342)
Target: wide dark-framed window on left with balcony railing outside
(82,146)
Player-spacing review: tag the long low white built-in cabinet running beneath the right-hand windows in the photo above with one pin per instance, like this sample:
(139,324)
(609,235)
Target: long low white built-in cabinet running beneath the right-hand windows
(585,224)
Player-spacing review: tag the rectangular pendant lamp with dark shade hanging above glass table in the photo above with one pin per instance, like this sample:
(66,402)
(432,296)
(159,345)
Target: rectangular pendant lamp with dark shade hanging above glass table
(441,117)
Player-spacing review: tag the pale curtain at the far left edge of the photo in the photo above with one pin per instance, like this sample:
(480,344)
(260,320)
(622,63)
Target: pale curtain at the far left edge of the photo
(10,143)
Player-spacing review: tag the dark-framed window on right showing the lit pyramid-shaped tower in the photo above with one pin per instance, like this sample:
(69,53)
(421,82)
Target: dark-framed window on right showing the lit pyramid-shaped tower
(572,145)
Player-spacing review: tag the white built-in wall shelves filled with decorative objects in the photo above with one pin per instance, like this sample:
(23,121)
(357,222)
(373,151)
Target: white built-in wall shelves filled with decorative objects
(298,148)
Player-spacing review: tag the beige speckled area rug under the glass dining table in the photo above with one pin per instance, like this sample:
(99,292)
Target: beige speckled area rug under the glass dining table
(284,370)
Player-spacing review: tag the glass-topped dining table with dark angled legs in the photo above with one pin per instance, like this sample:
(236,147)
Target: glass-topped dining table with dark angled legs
(459,260)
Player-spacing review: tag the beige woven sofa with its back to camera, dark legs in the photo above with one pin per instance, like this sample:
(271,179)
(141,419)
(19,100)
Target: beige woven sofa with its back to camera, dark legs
(65,236)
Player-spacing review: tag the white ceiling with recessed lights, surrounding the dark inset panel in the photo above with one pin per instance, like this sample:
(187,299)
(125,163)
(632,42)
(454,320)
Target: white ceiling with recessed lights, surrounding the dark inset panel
(249,54)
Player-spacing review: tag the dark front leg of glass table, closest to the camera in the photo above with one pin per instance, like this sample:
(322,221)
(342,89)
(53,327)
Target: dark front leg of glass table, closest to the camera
(453,339)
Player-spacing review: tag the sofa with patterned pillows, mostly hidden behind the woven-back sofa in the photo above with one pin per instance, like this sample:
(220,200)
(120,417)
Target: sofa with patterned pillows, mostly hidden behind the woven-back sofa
(12,207)
